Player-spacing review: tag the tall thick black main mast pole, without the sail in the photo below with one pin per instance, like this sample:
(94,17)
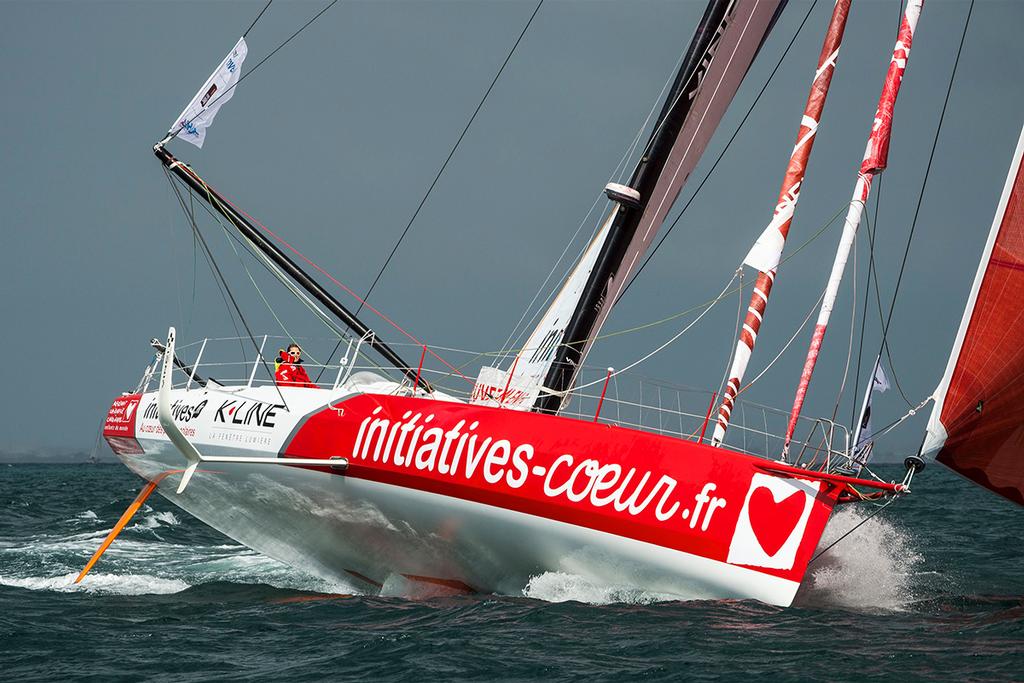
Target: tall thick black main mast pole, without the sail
(579,329)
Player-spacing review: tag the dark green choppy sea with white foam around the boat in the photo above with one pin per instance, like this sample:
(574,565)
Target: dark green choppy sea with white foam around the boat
(930,589)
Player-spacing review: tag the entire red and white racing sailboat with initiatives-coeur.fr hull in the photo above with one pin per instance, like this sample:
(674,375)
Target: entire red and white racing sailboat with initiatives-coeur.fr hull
(380,476)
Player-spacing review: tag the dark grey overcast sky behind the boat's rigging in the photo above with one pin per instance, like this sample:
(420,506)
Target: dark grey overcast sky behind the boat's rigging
(333,143)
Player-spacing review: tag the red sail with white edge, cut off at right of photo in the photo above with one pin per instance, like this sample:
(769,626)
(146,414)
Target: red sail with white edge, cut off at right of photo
(977,425)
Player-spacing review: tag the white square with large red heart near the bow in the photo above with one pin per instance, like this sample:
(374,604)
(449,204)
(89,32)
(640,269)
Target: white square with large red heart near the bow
(773,522)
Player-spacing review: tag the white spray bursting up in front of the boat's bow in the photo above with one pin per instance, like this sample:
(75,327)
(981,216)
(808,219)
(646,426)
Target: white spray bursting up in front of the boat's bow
(872,569)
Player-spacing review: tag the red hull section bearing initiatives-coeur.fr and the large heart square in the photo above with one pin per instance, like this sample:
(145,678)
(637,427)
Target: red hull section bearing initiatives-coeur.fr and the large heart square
(669,492)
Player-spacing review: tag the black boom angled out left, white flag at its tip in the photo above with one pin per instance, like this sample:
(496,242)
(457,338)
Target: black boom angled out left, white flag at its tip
(257,237)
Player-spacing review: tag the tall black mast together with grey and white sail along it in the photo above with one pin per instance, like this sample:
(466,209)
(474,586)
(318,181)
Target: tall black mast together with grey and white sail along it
(728,39)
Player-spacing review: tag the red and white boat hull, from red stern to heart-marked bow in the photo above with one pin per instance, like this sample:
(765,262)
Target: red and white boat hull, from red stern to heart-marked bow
(477,498)
